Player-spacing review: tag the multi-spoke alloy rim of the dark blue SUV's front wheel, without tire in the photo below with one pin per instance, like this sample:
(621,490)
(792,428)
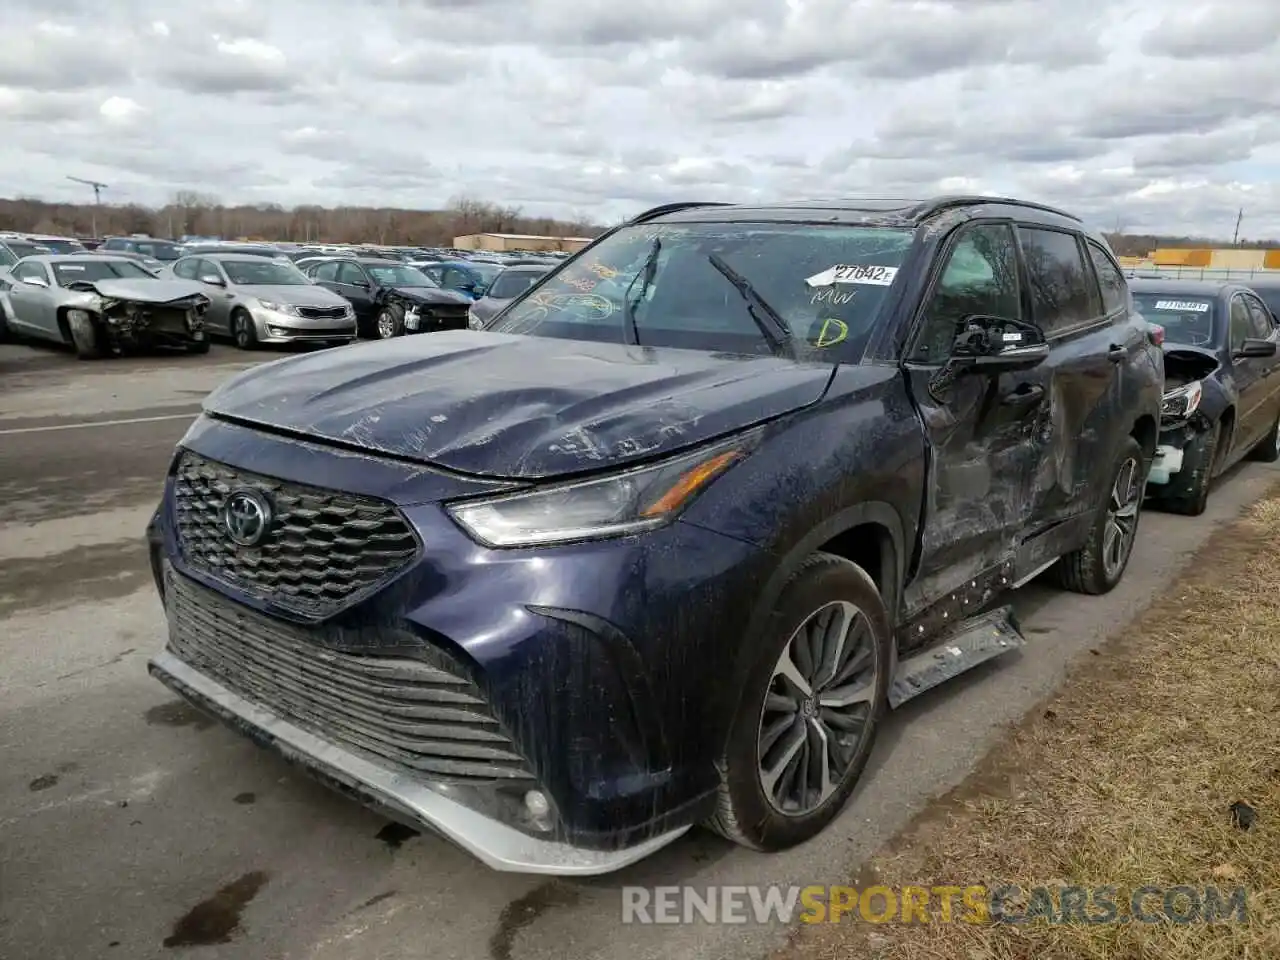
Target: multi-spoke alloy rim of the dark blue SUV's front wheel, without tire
(817,708)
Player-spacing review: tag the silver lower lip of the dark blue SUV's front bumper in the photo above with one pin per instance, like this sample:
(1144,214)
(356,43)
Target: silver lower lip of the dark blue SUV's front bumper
(488,840)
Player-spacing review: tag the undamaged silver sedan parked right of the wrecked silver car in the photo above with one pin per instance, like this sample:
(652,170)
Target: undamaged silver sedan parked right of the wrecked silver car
(259,300)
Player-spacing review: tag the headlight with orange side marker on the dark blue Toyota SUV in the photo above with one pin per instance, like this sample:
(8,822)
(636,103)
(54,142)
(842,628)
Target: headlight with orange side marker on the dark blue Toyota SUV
(623,504)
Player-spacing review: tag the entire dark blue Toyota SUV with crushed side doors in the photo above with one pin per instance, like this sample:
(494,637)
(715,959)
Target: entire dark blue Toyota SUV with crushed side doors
(662,542)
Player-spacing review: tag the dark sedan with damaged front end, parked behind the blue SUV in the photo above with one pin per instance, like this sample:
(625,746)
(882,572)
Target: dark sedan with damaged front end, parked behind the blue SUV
(1222,390)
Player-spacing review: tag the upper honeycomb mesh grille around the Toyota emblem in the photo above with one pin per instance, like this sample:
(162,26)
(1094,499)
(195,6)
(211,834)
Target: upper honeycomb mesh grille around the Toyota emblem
(324,550)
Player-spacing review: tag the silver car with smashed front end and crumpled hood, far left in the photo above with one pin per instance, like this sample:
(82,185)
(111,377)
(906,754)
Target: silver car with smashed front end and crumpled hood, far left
(100,305)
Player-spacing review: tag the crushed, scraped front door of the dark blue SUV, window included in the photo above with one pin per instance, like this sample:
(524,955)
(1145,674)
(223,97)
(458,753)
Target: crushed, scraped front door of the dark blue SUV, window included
(988,433)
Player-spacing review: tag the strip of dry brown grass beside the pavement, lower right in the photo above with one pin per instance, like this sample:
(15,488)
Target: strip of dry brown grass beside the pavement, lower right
(1126,778)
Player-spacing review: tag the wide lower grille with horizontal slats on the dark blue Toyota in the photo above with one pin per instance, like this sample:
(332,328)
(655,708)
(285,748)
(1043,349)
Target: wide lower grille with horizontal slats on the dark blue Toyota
(423,716)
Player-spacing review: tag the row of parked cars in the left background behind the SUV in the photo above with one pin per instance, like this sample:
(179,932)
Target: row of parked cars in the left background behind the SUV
(107,303)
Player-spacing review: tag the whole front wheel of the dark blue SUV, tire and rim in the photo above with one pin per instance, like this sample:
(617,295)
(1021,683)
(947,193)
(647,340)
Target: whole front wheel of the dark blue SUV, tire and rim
(813,700)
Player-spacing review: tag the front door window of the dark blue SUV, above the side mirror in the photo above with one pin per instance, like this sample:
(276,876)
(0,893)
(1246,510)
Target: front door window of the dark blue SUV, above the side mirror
(980,278)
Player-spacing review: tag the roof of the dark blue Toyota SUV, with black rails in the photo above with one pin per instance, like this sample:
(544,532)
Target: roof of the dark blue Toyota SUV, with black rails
(884,212)
